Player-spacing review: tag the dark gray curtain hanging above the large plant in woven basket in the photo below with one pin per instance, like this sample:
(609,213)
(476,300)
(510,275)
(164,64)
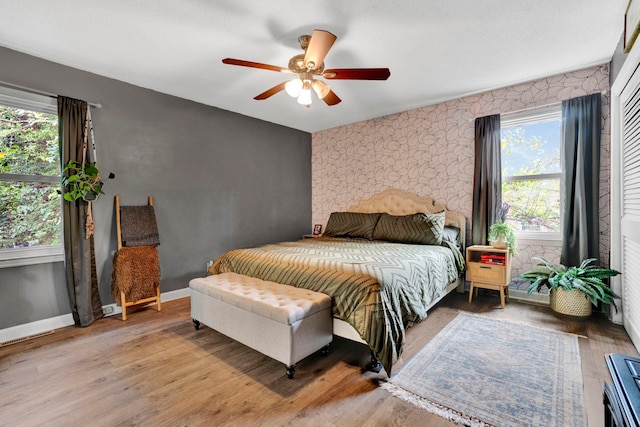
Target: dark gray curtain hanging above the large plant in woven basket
(581,128)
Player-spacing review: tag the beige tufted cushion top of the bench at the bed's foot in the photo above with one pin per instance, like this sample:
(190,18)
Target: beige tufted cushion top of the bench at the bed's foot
(282,303)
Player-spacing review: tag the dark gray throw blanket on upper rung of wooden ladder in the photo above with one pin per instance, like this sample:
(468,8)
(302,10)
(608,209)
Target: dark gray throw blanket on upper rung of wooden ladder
(139,227)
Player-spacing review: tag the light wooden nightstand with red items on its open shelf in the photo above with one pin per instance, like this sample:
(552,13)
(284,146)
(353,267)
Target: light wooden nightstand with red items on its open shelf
(489,268)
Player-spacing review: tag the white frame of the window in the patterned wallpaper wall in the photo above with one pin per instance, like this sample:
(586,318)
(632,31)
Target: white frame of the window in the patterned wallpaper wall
(528,117)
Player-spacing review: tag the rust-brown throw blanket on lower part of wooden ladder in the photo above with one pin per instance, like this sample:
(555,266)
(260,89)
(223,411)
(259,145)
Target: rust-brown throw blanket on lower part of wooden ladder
(136,272)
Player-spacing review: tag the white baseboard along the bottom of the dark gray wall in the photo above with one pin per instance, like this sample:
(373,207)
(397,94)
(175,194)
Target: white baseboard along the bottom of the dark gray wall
(45,325)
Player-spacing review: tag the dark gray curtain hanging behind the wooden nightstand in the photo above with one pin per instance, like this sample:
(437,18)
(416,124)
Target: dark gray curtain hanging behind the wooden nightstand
(487,178)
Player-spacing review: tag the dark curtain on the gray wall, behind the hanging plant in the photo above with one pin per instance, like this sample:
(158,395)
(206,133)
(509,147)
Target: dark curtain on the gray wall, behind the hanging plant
(82,279)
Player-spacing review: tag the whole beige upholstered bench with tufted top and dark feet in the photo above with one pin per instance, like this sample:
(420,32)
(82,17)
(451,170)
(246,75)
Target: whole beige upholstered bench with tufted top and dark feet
(283,322)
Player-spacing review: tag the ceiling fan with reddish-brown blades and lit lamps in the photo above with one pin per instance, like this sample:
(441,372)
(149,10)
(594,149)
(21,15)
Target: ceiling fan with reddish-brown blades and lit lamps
(310,65)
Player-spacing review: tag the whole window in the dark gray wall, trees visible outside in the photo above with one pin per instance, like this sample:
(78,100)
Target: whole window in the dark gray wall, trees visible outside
(30,224)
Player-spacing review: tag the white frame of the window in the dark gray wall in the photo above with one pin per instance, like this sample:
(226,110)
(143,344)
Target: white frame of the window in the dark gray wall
(15,257)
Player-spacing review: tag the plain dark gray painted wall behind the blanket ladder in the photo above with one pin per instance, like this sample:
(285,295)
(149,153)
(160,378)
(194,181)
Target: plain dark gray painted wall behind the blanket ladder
(219,181)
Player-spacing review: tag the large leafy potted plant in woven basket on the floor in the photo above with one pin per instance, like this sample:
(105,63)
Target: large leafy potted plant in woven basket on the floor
(574,290)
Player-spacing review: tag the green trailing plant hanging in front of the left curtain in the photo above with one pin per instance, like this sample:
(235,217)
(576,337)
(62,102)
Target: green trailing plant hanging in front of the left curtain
(81,182)
